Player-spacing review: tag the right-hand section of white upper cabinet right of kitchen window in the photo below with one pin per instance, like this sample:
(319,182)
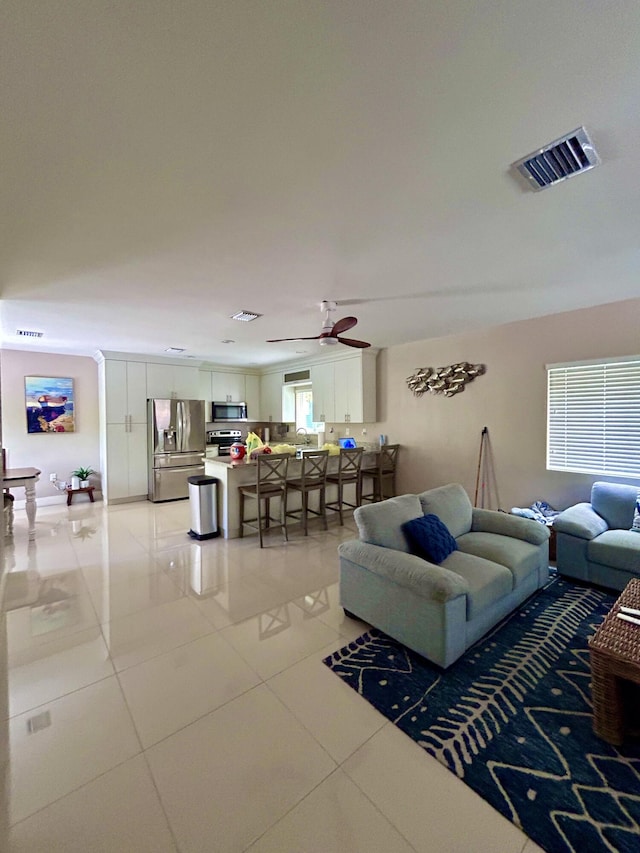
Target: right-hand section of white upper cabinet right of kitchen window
(355,389)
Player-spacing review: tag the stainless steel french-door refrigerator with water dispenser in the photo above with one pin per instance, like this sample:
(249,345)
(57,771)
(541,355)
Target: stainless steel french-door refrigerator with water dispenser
(176,447)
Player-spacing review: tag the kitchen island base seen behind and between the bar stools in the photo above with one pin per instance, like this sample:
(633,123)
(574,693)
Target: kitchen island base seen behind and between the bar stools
(231,474)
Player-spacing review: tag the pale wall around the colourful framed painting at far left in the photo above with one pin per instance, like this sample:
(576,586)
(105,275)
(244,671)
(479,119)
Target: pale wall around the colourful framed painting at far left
(58,453)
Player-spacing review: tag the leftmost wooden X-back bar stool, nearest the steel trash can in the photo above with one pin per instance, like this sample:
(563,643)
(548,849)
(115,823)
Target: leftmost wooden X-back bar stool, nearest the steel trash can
(271,482)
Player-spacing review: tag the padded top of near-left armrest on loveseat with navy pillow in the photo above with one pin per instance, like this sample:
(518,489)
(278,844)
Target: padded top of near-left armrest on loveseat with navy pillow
(407,570)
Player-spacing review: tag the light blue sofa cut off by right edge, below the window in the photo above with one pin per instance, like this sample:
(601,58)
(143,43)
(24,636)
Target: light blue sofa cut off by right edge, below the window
(595,542)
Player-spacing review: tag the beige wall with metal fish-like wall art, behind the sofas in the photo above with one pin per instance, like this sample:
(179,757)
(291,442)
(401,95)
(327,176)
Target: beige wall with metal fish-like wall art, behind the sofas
(440,436)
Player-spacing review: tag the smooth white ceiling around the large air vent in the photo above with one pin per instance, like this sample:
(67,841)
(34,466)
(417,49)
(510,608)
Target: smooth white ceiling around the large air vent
(166,163)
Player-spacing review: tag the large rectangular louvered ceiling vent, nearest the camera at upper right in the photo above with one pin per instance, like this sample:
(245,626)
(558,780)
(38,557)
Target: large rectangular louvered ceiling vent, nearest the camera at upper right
(571,155)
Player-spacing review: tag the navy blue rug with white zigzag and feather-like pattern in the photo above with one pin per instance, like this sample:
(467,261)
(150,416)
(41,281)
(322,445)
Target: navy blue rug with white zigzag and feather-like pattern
(512,718)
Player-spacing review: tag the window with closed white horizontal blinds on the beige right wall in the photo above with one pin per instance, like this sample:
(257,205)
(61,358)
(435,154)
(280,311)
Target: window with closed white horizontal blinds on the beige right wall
(593,418)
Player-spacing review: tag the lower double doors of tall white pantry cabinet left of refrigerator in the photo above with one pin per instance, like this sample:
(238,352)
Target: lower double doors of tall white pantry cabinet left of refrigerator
(125,467)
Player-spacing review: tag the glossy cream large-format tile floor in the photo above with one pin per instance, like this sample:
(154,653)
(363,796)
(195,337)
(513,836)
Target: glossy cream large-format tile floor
(169,695)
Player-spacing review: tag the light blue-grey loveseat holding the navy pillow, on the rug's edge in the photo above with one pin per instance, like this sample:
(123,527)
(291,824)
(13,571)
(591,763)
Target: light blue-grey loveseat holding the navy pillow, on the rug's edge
(440,610)
